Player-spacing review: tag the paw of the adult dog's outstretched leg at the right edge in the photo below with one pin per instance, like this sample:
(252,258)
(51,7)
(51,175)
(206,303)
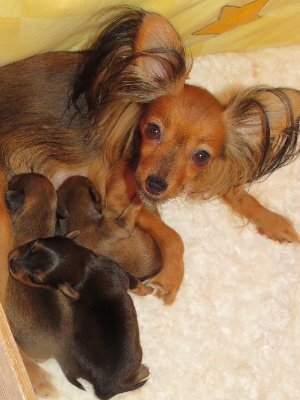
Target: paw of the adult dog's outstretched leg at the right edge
(278,228)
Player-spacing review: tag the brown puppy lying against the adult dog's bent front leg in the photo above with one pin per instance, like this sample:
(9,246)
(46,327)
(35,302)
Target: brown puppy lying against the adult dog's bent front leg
(116,238)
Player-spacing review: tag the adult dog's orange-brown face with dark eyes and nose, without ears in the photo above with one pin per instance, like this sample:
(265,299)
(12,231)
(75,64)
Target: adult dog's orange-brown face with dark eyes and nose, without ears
(182,136)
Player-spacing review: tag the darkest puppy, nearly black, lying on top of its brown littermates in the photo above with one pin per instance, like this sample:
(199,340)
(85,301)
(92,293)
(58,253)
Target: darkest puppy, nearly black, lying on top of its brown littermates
(106,349)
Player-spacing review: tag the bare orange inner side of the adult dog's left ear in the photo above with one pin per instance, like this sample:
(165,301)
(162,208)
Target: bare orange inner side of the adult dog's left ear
(159,47)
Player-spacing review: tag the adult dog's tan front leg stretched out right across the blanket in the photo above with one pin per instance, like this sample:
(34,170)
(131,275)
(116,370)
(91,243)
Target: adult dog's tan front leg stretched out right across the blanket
(267,222)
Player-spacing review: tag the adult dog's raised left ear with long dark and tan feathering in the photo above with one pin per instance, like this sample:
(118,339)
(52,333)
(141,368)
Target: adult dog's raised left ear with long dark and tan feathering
(136,59)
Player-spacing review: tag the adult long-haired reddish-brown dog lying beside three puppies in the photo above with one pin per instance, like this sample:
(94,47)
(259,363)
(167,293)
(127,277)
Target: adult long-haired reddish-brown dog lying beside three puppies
(122,114)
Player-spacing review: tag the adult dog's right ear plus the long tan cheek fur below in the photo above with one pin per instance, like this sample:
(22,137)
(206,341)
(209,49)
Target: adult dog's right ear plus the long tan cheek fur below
(262,136)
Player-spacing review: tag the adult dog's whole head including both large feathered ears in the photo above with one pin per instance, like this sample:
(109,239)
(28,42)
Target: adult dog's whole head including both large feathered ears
(134,82)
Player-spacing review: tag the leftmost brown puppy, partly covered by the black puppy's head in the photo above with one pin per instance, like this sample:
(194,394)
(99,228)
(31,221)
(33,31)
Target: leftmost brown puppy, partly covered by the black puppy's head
(40,320)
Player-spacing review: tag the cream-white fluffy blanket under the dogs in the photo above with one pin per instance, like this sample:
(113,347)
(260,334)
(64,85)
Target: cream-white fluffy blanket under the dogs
(234,331)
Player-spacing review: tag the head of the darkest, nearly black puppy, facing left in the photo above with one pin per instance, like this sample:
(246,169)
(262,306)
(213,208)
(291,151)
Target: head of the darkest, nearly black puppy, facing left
(55,262)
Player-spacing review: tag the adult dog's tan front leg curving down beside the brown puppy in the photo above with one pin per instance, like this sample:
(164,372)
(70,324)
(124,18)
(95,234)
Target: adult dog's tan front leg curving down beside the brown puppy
(168,280)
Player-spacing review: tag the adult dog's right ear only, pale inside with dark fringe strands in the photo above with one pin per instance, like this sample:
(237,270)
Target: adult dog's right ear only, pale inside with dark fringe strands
(263,126)
